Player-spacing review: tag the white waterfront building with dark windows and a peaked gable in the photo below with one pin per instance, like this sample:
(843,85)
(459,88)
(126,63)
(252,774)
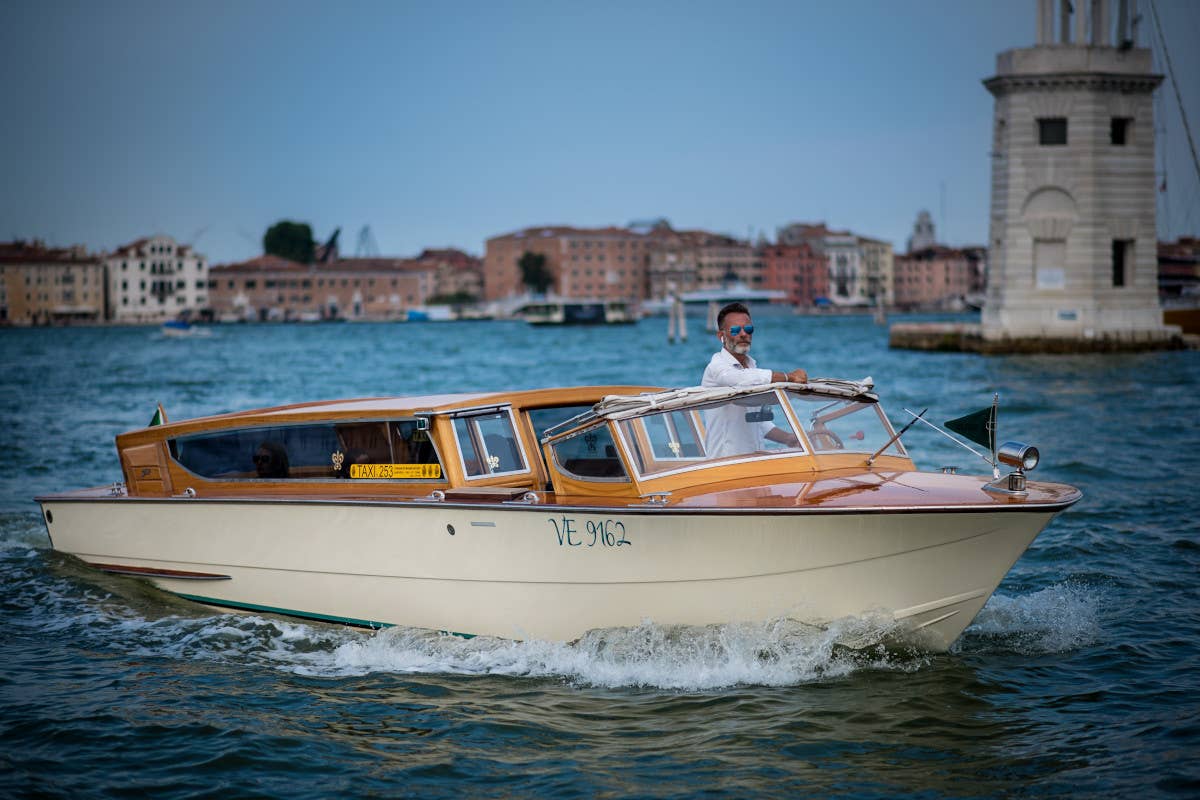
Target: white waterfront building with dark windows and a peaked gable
(155,279)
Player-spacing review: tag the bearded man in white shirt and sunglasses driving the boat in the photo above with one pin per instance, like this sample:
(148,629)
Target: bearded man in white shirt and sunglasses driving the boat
(729,434)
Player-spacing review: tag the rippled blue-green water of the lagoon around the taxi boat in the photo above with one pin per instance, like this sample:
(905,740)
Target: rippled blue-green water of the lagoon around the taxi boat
(1078,679)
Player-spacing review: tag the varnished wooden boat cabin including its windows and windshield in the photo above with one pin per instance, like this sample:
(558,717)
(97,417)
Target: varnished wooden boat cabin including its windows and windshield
(616,443)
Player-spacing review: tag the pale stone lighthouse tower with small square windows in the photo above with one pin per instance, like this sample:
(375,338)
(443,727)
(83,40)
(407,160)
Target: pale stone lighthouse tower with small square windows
(1073,236)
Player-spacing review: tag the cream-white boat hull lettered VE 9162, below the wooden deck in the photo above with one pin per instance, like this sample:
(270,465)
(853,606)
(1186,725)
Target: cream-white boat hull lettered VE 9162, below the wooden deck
(543,573)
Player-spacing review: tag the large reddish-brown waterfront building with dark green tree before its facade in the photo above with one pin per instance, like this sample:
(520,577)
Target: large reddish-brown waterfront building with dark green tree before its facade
(602,263)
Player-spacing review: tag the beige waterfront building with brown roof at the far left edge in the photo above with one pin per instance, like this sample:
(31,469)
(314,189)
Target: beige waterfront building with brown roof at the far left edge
(50,286)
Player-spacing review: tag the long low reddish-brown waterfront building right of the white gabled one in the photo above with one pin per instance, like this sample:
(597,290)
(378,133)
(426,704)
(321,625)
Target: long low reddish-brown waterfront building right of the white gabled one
(271,288)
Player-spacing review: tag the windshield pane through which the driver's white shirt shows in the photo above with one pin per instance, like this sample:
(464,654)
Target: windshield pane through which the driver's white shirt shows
(725,430)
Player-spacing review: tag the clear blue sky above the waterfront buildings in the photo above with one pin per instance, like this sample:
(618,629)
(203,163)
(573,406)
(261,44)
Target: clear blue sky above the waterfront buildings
(442,124)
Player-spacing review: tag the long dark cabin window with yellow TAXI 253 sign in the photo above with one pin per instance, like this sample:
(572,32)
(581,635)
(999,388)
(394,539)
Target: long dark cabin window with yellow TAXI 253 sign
(365,450)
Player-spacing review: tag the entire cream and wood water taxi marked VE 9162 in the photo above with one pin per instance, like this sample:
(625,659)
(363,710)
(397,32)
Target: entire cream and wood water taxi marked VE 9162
(545,514)
